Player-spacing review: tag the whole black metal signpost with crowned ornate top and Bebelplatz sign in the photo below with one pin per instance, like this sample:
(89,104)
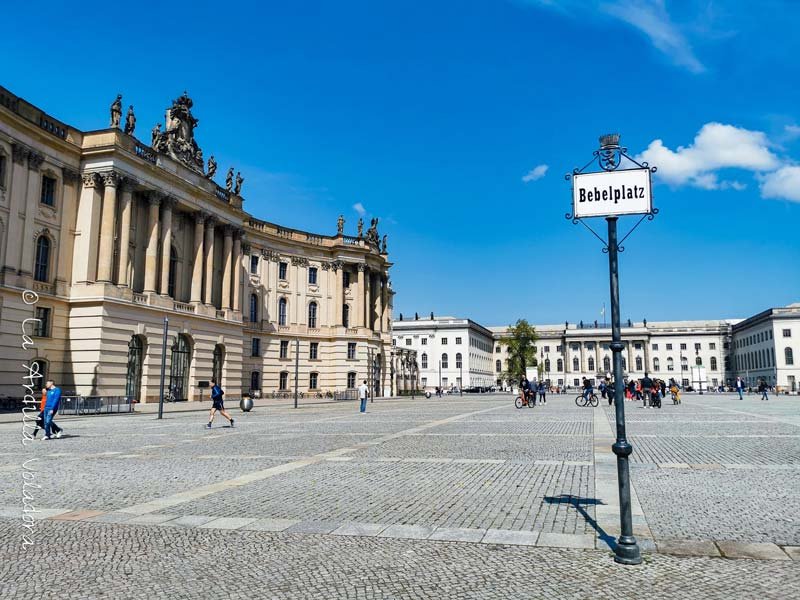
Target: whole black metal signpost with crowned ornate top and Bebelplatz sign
(627,193)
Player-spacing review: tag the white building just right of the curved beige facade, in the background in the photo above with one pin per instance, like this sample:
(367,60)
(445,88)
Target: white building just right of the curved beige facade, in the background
(451,352)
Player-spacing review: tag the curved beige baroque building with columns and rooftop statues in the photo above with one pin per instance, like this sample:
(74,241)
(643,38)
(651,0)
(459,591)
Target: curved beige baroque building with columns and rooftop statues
(102,236)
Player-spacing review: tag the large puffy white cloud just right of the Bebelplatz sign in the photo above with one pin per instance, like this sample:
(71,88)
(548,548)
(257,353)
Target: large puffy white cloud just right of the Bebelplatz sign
(716,146)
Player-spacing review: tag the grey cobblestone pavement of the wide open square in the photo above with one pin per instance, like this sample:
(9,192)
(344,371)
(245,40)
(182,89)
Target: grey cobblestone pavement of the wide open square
(441,498)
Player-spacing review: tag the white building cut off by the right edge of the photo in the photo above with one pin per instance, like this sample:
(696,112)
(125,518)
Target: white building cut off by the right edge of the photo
(765,346)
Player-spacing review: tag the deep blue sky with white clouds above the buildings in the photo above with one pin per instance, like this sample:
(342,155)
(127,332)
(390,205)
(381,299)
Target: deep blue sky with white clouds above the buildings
(454,123)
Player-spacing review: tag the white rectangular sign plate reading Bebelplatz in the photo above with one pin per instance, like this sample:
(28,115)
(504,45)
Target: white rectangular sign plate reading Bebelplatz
(611,193)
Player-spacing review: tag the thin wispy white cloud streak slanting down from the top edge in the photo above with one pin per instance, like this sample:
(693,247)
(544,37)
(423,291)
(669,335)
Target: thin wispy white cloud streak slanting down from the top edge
(652,19)
